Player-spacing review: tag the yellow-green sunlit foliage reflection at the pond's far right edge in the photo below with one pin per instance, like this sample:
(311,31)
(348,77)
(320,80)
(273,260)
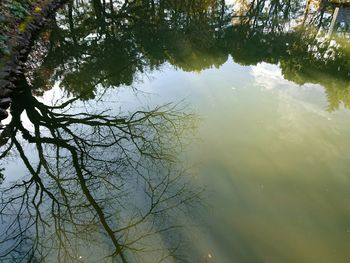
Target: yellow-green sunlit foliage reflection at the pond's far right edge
(324,63)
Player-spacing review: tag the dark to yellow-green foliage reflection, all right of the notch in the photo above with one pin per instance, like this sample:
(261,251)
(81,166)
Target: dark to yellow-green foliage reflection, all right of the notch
(302,57)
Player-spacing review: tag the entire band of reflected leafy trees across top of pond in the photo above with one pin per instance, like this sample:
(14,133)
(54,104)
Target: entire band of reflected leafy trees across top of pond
(104,45)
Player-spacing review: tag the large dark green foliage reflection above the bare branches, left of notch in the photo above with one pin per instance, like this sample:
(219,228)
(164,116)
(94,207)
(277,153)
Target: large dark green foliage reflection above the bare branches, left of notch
(111,46)
